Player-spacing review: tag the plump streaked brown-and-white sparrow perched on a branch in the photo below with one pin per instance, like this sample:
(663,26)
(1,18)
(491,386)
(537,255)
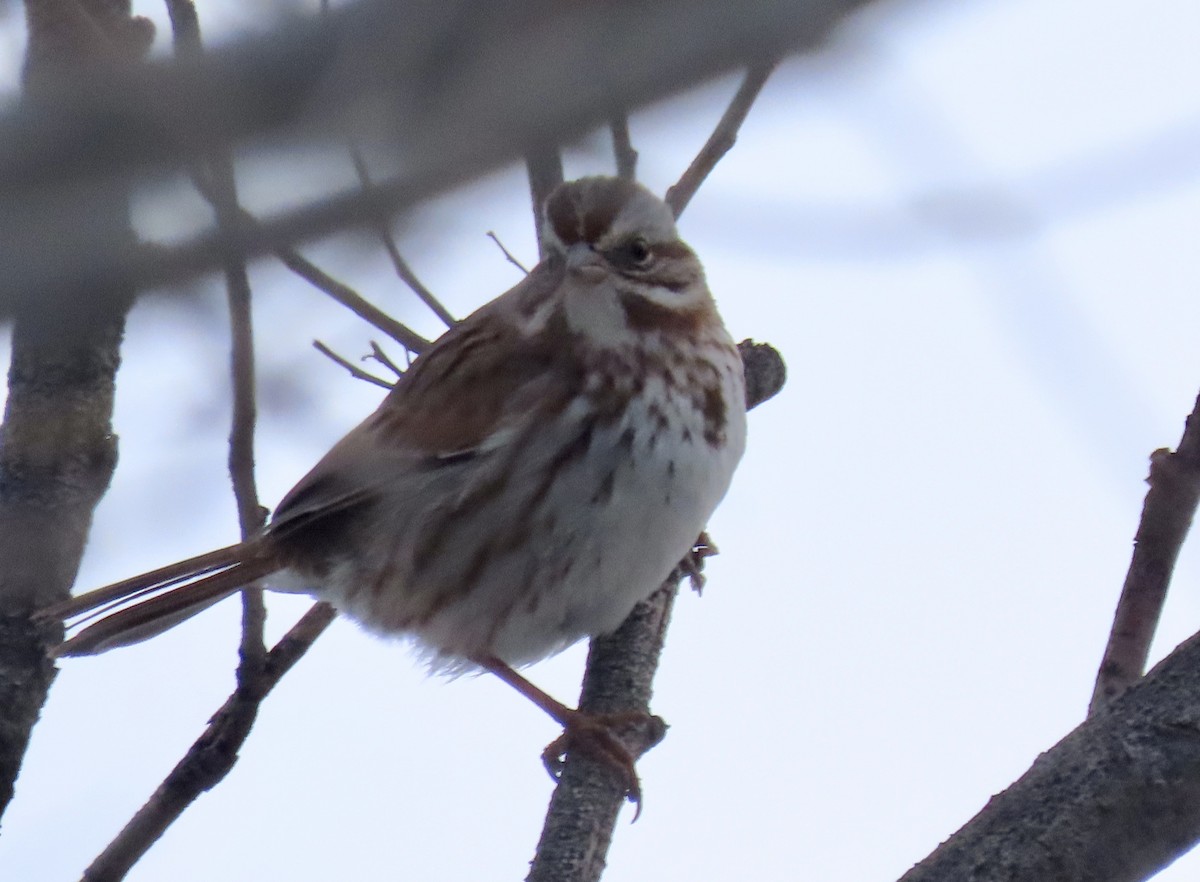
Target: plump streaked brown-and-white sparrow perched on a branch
(530,479)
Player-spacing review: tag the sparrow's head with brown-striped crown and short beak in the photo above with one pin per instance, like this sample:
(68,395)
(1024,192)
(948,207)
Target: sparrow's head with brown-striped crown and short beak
(610,229)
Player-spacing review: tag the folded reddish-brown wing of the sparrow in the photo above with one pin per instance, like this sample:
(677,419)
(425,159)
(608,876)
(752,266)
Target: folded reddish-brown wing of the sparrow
(473,392)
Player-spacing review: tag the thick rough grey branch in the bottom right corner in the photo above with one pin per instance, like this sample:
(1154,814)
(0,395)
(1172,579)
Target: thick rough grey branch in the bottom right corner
(1115,801)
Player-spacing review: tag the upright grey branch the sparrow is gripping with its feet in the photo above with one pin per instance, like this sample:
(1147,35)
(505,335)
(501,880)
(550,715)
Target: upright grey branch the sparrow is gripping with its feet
(620,676)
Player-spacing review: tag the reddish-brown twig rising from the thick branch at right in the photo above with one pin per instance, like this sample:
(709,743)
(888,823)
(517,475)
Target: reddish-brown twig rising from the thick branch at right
(1167,518)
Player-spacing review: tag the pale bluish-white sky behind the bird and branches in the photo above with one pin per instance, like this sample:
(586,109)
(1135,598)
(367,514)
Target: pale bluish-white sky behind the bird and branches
(971,232)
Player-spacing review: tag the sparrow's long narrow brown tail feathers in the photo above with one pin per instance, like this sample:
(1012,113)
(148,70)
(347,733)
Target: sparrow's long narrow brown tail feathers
(147,605)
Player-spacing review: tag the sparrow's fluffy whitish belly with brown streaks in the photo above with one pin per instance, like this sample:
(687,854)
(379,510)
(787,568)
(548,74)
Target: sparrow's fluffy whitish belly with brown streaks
(541,549)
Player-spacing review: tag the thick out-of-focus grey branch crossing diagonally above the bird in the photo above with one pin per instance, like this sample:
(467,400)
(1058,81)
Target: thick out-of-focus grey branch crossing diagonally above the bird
(451,89)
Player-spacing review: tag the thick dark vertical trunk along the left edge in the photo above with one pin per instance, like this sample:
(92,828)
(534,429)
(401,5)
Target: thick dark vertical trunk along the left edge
(59,451)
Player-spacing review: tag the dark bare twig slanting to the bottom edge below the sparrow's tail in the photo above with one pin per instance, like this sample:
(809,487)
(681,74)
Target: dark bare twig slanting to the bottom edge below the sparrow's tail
(211,759)
